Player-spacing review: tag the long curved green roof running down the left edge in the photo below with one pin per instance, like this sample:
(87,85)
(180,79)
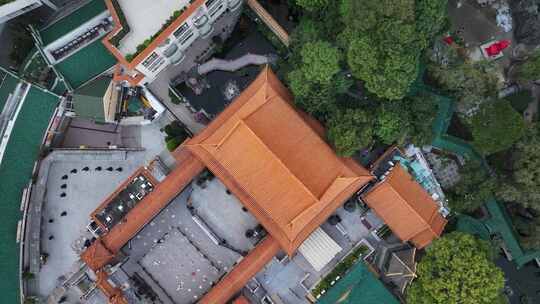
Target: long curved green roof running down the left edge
(15,172)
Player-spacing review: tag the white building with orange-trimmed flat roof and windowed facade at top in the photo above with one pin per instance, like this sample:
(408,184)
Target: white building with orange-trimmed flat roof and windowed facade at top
(168,48)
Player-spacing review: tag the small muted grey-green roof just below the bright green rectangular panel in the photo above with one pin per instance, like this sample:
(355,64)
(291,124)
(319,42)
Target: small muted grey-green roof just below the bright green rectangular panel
(88,100)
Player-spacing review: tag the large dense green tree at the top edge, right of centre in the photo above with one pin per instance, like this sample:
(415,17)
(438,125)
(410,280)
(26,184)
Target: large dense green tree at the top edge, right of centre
(384,40)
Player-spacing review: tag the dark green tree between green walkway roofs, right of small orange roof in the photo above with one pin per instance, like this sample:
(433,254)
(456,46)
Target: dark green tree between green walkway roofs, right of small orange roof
(473,189)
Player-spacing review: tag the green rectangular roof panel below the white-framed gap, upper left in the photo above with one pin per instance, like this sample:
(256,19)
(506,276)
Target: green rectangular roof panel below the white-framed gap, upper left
(86,64)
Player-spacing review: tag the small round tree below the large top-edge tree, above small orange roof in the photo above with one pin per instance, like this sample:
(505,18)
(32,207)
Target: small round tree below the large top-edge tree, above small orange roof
(392,122)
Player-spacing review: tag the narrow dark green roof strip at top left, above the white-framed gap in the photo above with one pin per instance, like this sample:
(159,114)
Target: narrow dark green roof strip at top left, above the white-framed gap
(70,22)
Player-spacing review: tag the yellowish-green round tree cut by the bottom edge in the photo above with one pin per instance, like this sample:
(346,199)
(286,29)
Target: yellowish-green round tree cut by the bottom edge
(457,268)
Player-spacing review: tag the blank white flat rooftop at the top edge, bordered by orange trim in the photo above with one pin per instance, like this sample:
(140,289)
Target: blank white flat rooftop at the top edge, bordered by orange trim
(137,13)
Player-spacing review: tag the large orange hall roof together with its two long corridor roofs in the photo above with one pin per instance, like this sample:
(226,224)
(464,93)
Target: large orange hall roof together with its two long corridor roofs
(272,159)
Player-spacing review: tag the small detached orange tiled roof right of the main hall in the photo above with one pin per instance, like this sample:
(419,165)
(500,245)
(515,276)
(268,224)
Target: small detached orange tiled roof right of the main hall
(406,208)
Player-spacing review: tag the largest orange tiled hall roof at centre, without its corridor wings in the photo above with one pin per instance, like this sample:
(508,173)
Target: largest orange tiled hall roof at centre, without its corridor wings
(263,150)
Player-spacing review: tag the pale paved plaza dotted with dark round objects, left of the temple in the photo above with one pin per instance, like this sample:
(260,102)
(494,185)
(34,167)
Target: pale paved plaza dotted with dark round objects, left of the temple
(70,198)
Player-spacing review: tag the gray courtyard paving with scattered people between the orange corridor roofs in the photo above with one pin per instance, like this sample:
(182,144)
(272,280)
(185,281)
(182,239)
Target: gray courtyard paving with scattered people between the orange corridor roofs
(178,254)
